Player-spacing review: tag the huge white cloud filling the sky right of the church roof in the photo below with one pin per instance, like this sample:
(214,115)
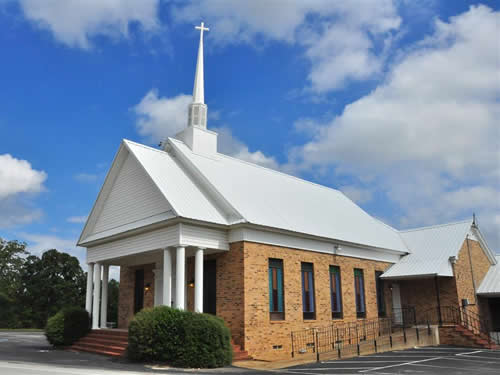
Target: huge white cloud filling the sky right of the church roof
(428,136)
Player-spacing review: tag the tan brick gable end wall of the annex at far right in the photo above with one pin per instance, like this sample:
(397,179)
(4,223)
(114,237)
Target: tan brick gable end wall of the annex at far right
(463,273)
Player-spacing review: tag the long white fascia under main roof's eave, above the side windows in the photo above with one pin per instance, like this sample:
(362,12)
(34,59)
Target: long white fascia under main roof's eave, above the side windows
(295,241)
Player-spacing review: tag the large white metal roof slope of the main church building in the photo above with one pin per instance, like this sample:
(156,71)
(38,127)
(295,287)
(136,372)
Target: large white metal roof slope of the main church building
(269,198)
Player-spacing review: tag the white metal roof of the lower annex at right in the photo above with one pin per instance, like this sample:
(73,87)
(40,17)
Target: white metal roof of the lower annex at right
(431,248)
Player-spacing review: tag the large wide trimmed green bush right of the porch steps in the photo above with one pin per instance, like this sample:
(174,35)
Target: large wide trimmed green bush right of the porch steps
(180,338)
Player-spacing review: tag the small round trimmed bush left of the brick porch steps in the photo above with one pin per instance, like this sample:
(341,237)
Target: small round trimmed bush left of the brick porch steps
(67,326)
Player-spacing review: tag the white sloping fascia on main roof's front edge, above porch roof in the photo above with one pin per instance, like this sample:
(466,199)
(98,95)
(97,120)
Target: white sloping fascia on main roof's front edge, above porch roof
(231,213)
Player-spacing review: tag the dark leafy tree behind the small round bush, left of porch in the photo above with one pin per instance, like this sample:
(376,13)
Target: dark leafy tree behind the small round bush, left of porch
(48,284)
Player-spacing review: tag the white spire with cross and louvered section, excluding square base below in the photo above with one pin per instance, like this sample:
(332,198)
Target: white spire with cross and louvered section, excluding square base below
(197,115)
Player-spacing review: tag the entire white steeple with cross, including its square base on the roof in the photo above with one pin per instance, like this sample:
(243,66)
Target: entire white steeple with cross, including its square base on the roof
(196,136)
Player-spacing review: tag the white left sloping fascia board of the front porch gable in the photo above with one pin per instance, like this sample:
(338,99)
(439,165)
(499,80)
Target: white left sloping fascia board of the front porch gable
(105,189)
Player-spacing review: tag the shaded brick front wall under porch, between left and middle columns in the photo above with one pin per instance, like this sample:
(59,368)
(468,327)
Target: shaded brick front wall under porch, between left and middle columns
(126,292)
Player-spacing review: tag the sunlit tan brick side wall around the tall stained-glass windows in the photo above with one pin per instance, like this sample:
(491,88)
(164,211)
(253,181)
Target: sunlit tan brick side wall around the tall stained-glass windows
(260,332)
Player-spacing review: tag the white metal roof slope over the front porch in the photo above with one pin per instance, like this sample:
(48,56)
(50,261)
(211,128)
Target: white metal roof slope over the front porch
(186,198)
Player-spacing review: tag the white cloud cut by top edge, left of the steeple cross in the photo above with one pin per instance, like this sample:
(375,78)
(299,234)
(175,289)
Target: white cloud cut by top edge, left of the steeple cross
(75,22)
